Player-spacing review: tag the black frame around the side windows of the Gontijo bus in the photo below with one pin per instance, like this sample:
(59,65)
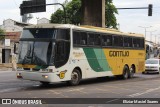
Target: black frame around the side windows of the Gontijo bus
(110,36)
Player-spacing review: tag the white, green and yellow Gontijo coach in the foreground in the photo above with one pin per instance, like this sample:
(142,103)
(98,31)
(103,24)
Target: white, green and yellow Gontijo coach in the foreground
(62,52)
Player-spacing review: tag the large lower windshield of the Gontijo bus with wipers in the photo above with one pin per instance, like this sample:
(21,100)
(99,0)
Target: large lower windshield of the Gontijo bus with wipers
(39,53)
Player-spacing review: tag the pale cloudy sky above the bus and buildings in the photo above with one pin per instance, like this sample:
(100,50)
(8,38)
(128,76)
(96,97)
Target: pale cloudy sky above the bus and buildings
(129,20)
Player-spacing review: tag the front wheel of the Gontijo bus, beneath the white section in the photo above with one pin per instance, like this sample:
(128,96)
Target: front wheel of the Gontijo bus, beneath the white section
(75,77)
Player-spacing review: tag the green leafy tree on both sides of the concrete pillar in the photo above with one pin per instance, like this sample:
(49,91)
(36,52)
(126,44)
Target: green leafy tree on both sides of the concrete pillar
(73,13)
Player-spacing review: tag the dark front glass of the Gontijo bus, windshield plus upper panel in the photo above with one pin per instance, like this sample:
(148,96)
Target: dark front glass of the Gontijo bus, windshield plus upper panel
(37,45)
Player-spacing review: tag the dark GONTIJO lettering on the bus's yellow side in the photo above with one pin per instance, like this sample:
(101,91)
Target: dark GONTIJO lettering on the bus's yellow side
(118,53)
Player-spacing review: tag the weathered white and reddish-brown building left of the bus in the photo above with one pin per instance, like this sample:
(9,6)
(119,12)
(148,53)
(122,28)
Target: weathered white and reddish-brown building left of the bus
(13,31)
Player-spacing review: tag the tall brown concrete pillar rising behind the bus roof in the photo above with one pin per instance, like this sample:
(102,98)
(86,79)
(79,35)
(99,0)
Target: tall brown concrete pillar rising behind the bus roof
(93,12)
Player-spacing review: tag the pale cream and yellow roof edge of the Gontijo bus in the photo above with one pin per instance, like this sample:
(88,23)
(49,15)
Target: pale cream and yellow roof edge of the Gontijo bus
(85,28)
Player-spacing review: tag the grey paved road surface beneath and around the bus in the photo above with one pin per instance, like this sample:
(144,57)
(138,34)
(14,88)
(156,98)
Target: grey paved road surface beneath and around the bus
(141,86)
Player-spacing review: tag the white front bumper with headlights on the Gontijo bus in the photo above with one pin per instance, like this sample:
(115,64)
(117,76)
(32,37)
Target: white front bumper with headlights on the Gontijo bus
(38,76)
